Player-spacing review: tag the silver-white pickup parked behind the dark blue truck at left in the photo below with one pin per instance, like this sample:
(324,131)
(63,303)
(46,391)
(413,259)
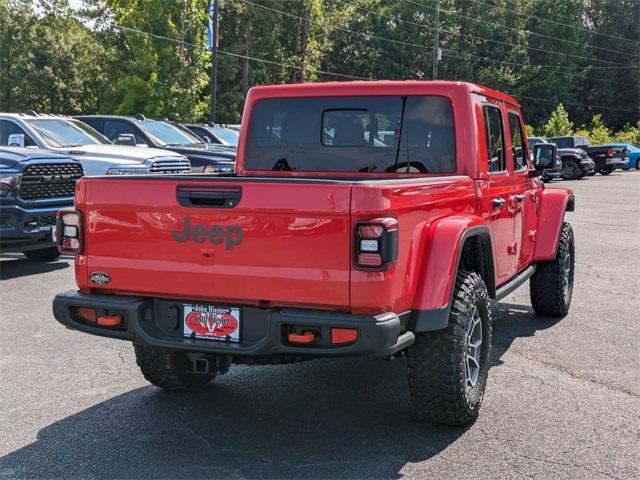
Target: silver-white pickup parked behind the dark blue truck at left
(96,154)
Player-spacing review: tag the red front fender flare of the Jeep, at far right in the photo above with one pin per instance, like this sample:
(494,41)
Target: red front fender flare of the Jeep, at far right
(554,202)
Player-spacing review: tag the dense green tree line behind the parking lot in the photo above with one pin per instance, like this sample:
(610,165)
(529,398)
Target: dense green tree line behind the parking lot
(129,56)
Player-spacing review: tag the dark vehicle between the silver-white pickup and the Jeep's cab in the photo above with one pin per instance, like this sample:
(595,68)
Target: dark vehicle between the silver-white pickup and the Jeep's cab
(142,131)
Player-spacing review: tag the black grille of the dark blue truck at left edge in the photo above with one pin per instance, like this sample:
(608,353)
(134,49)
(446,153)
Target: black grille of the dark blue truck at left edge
(50,180)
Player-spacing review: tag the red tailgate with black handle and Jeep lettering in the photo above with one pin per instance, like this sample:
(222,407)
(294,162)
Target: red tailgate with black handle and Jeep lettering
(231,240)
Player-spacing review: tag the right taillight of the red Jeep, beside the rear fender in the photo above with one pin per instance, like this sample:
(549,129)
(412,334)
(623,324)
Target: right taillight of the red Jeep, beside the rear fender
(376,245)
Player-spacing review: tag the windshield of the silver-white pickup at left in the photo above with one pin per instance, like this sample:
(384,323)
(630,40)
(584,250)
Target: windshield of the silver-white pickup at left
(63,133)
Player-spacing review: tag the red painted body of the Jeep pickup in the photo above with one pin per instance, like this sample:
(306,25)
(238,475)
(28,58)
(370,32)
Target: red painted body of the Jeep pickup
(299,234)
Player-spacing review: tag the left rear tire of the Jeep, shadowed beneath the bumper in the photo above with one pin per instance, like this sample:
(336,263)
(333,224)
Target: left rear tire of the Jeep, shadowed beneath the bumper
(172,370)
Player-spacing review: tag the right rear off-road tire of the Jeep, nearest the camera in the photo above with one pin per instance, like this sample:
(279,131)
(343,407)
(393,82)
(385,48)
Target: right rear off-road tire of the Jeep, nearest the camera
(437,374)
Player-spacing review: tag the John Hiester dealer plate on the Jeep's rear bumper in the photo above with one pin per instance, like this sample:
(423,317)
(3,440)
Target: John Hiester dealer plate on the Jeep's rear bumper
(211,322)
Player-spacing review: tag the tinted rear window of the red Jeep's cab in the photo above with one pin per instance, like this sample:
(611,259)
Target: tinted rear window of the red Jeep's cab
(374,134)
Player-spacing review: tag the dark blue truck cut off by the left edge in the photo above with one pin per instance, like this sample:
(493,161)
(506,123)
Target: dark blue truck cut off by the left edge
(34,185)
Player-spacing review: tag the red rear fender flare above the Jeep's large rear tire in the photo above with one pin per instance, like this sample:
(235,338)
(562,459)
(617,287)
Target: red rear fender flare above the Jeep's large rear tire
(445,239)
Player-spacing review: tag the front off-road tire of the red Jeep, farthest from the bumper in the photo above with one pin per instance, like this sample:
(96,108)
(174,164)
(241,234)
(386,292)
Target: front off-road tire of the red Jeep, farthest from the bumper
(546,285)
